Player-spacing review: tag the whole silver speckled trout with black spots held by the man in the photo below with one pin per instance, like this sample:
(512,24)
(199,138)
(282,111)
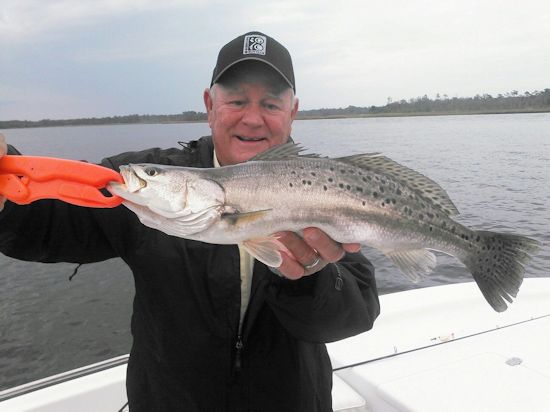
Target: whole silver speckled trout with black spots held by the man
(366,198)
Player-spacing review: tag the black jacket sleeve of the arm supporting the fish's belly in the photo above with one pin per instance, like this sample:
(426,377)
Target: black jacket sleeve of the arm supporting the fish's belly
(338,302)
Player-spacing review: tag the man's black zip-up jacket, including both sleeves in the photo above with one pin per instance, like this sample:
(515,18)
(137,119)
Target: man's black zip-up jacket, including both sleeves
(187,304)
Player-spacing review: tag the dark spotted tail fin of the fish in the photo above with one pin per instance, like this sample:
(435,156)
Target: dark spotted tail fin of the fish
(497,265)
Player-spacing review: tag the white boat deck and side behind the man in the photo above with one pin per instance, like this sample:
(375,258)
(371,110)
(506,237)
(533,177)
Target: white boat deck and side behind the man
(432,349)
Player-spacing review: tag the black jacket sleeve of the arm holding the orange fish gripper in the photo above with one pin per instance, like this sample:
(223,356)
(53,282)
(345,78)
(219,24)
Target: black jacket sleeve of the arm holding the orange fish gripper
(53,231)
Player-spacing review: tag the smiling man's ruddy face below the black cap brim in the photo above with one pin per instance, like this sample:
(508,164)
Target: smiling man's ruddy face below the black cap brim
(247,119)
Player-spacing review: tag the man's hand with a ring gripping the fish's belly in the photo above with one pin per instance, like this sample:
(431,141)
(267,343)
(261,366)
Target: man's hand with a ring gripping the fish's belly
(311,253)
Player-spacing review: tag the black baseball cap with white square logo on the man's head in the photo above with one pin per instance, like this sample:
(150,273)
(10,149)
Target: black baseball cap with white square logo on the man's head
(259,47)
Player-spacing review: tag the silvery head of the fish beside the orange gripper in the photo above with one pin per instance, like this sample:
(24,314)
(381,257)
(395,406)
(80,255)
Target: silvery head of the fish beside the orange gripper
(169,191)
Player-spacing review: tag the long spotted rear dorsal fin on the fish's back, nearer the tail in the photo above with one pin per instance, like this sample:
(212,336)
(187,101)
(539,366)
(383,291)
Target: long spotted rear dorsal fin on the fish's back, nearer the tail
(424,186)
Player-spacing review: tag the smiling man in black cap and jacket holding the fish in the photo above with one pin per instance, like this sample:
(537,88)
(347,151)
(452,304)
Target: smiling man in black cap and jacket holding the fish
(214,330)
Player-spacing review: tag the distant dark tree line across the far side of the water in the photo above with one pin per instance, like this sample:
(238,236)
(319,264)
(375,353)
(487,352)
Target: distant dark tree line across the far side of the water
(509,102)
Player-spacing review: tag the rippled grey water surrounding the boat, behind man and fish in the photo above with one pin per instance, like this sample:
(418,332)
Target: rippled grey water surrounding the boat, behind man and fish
(494,167)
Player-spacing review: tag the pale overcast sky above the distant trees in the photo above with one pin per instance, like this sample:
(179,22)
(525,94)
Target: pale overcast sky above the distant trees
(64,59)
